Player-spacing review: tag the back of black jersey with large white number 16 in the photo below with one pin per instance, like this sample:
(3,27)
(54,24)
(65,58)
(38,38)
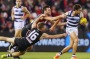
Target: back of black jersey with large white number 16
(33,36)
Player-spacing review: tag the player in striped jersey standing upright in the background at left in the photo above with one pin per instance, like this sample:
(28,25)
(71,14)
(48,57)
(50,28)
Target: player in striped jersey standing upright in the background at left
(19,14)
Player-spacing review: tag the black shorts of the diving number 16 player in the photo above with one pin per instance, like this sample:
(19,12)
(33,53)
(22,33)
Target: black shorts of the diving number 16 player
(21,43)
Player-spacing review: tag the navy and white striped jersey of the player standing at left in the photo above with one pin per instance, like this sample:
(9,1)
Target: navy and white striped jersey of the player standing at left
(18,13)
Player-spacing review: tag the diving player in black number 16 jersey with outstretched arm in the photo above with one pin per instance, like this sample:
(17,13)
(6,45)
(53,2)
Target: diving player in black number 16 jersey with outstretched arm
(36,33)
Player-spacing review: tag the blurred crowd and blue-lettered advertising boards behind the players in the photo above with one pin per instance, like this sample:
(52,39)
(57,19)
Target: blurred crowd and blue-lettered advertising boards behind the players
(35,7)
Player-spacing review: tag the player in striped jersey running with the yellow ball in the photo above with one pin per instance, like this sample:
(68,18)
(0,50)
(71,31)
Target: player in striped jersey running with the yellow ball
(73,17)
